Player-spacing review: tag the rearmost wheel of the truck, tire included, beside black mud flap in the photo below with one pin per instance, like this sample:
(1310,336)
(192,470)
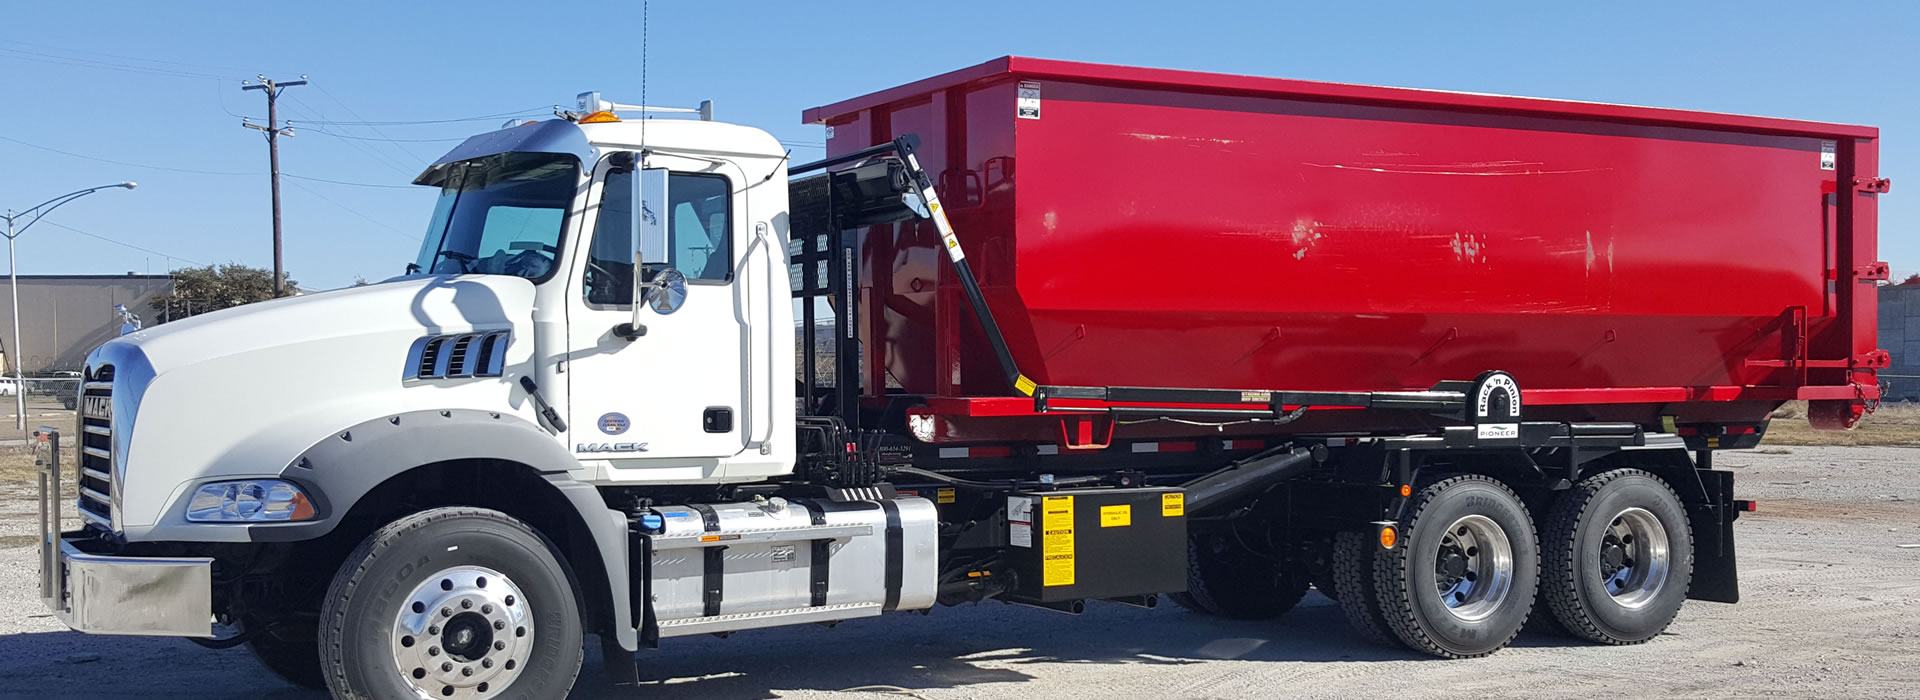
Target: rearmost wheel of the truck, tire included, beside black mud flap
(1620,557)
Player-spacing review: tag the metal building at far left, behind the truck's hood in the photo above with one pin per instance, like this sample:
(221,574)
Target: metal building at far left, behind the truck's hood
(62,317)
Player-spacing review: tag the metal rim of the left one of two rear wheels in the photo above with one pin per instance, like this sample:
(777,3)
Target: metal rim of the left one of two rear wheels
(1474,569)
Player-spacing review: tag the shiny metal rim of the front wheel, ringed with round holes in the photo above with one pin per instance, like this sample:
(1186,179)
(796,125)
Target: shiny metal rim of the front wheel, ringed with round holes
(464,634)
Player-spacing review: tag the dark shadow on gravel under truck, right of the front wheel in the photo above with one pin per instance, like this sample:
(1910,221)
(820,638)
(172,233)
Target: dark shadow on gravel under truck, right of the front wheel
(992,643)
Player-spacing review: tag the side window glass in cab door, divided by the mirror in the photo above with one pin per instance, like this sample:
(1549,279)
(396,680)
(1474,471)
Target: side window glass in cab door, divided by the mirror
(700,223)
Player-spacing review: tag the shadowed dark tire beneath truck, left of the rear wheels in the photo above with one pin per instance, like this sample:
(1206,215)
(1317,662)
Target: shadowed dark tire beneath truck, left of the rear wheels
(1226,580)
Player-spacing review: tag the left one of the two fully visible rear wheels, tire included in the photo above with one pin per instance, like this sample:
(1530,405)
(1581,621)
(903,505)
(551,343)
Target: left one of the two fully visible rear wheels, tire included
(1464,576)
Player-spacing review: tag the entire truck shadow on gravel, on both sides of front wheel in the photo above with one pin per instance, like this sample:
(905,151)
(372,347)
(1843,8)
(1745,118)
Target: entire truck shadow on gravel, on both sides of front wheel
(948,649)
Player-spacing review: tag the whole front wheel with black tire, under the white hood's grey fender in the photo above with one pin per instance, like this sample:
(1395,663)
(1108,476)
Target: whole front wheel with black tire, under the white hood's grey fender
(452,603)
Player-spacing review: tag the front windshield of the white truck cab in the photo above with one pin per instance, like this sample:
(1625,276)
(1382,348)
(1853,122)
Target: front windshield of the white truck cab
(500,216)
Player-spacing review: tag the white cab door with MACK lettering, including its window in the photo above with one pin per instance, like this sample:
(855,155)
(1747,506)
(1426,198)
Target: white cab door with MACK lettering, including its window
(667,402)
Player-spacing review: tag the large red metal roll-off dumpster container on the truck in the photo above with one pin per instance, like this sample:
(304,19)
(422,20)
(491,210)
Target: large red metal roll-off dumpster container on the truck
(1214,231)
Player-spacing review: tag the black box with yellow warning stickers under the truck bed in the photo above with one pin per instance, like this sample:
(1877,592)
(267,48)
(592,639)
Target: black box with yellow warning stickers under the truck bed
(1097,544)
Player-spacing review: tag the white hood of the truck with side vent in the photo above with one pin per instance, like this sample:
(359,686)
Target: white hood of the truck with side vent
(241,392)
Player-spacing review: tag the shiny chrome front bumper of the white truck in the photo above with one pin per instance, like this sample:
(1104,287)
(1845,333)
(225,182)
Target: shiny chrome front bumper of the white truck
(118,595)
